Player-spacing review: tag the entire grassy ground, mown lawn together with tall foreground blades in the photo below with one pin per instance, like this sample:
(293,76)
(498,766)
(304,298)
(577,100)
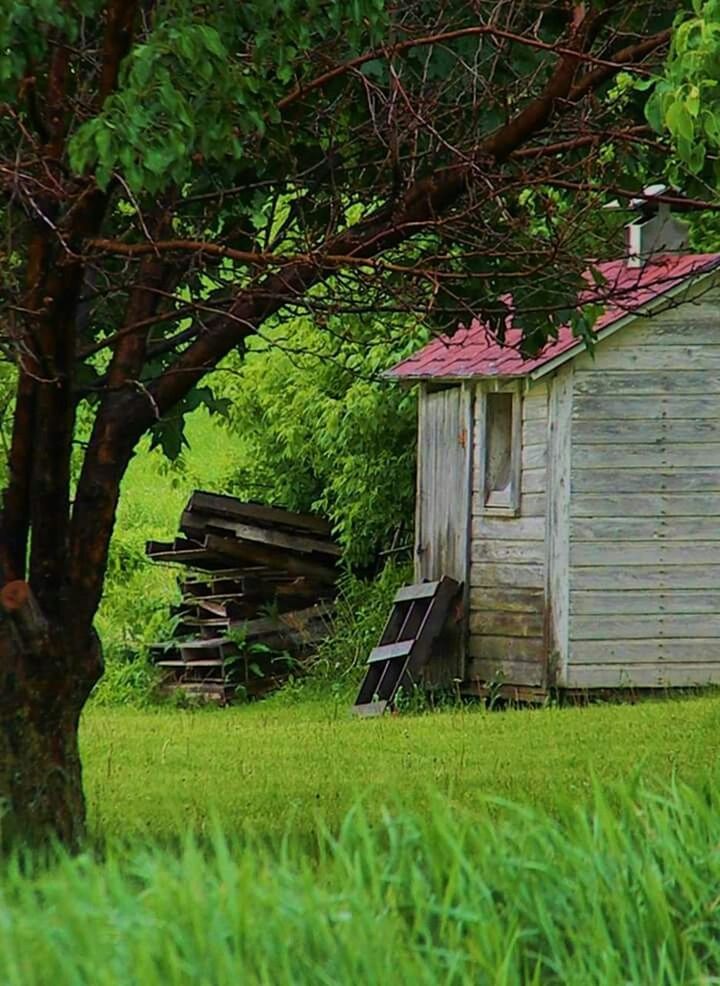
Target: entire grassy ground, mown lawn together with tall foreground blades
(425,881)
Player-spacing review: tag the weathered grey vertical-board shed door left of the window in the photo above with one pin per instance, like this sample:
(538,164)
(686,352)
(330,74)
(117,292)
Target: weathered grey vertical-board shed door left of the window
(444,483)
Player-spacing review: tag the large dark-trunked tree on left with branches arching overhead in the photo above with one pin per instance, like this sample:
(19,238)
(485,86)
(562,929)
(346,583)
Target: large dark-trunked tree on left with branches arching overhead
(178,176)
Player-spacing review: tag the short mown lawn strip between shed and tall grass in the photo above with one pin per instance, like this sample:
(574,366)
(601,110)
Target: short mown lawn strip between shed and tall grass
(274,766)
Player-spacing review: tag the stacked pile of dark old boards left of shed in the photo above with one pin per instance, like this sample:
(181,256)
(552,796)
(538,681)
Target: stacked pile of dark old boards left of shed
(257,596)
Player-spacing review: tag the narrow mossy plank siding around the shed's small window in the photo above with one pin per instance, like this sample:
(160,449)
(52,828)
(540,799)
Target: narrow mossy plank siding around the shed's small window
(507,568)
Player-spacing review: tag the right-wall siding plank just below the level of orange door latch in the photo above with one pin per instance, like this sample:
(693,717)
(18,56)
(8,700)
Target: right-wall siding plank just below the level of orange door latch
(660,455)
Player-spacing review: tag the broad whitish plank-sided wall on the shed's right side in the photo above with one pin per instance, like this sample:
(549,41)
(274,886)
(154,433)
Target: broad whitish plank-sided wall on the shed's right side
(644,558)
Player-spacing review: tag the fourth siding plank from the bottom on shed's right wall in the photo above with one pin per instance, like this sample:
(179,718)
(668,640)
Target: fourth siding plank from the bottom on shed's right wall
(602,602)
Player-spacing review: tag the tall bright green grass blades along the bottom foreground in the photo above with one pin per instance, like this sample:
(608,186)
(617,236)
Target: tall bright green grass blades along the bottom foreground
(438,896)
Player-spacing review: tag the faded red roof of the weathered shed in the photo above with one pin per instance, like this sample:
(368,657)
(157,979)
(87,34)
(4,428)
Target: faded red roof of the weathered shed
(475,352)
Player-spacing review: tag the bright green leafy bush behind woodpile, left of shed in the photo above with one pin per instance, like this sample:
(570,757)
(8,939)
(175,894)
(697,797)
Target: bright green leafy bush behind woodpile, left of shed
(321,430)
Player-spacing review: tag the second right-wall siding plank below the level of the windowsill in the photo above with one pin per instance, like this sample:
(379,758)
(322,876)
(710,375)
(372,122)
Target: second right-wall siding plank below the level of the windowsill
(664,554)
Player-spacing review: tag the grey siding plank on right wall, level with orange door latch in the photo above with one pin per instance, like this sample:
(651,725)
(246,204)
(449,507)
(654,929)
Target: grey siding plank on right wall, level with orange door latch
(658,430)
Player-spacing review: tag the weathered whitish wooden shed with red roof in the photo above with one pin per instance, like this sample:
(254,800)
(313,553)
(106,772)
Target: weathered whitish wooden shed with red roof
(576,494)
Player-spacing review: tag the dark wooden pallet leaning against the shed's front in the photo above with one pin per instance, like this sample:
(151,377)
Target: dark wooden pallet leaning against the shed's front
(417,618)
